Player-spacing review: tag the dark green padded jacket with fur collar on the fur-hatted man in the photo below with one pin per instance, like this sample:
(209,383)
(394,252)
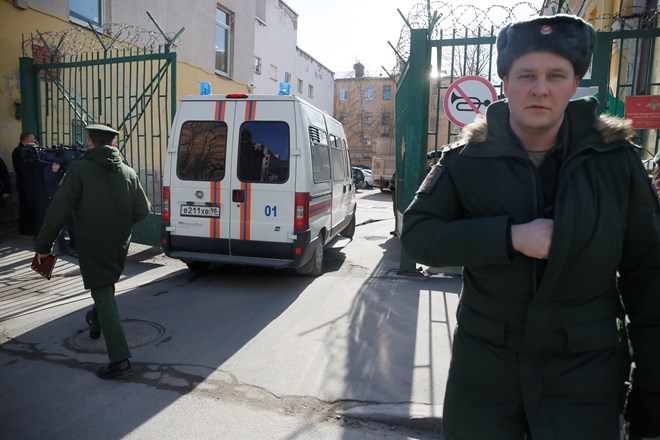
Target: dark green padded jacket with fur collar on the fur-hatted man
(606,227)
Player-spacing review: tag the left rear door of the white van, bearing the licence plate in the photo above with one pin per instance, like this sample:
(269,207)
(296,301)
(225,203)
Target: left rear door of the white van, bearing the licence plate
(199,186)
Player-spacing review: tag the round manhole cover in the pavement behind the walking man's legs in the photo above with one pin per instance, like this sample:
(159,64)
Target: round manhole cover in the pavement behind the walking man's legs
(138,333)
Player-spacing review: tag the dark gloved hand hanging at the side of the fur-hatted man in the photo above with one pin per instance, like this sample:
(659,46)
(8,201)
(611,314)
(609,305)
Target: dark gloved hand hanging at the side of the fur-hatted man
(642,411)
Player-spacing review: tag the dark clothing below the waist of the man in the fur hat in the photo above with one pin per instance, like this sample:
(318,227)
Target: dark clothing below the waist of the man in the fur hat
(497,393)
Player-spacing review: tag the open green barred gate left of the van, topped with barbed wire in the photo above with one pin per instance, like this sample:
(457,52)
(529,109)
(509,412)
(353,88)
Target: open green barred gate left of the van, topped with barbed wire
(77,77)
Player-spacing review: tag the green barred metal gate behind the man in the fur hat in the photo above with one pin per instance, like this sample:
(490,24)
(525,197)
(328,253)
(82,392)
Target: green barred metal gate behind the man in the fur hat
(623,65)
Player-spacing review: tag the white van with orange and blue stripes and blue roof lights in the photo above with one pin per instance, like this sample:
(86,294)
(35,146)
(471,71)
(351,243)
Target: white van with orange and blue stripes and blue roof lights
(262,180)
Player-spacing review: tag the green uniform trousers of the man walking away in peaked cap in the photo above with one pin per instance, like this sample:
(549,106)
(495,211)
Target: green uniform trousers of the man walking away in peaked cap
(106,317)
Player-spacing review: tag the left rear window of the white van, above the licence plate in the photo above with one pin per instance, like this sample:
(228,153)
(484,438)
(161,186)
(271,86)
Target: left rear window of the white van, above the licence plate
(202,151)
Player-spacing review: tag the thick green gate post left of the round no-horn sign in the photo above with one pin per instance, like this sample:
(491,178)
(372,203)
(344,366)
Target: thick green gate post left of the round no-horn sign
(412,107)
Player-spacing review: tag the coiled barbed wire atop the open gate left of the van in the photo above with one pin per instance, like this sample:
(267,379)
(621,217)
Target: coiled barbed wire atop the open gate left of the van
(79,40)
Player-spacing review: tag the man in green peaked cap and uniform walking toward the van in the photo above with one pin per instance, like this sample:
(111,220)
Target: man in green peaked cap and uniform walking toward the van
(107,198)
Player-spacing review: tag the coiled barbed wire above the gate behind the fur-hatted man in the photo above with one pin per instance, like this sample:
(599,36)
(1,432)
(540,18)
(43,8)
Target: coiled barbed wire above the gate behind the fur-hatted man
(472,21)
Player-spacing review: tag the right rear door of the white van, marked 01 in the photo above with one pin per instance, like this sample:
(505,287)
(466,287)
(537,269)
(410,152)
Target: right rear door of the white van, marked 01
(263,179)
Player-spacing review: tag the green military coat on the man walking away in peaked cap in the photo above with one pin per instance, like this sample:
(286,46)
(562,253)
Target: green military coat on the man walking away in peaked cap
(106,198)
